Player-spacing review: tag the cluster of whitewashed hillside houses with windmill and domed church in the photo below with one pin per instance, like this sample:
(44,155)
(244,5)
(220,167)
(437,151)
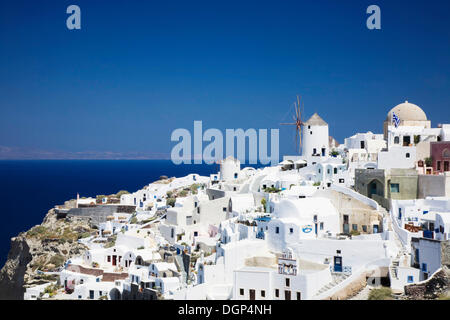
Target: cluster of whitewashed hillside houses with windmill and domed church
(376,207)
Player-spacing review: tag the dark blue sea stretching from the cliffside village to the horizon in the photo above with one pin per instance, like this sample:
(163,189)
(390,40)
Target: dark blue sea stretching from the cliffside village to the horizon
(29,188)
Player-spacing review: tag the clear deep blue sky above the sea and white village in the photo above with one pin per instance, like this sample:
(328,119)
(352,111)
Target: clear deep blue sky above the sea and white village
(139,69)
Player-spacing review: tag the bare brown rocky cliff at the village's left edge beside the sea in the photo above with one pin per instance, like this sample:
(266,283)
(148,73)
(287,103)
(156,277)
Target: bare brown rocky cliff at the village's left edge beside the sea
(44,247)
